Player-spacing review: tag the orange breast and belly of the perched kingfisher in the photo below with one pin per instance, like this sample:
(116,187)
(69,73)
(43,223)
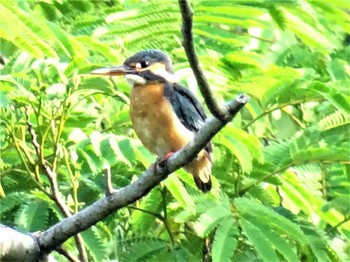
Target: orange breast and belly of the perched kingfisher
(155,121)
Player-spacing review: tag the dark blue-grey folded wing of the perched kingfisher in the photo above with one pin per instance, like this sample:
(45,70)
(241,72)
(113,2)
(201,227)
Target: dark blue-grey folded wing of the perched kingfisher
(187,108)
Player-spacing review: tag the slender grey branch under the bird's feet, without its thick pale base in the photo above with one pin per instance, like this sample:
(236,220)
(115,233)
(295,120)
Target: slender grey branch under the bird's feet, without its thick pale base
(59,233)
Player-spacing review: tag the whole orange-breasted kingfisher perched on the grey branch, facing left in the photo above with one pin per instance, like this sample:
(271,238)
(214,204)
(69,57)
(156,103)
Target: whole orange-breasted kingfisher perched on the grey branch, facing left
(164,114)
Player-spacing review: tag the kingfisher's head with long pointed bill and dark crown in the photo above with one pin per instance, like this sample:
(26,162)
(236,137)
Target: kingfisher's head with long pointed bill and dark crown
(143,67)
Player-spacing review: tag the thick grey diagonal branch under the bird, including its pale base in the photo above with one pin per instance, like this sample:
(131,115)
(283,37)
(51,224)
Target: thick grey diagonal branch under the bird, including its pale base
(37,246)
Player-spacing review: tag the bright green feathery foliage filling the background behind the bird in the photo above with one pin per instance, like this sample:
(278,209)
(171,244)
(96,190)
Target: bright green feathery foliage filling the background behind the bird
(281,172)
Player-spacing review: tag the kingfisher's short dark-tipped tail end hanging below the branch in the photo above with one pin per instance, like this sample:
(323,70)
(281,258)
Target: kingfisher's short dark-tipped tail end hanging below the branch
(200,168)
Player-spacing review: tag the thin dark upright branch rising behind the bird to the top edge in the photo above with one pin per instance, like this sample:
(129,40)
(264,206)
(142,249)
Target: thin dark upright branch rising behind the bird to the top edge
(188,45)
